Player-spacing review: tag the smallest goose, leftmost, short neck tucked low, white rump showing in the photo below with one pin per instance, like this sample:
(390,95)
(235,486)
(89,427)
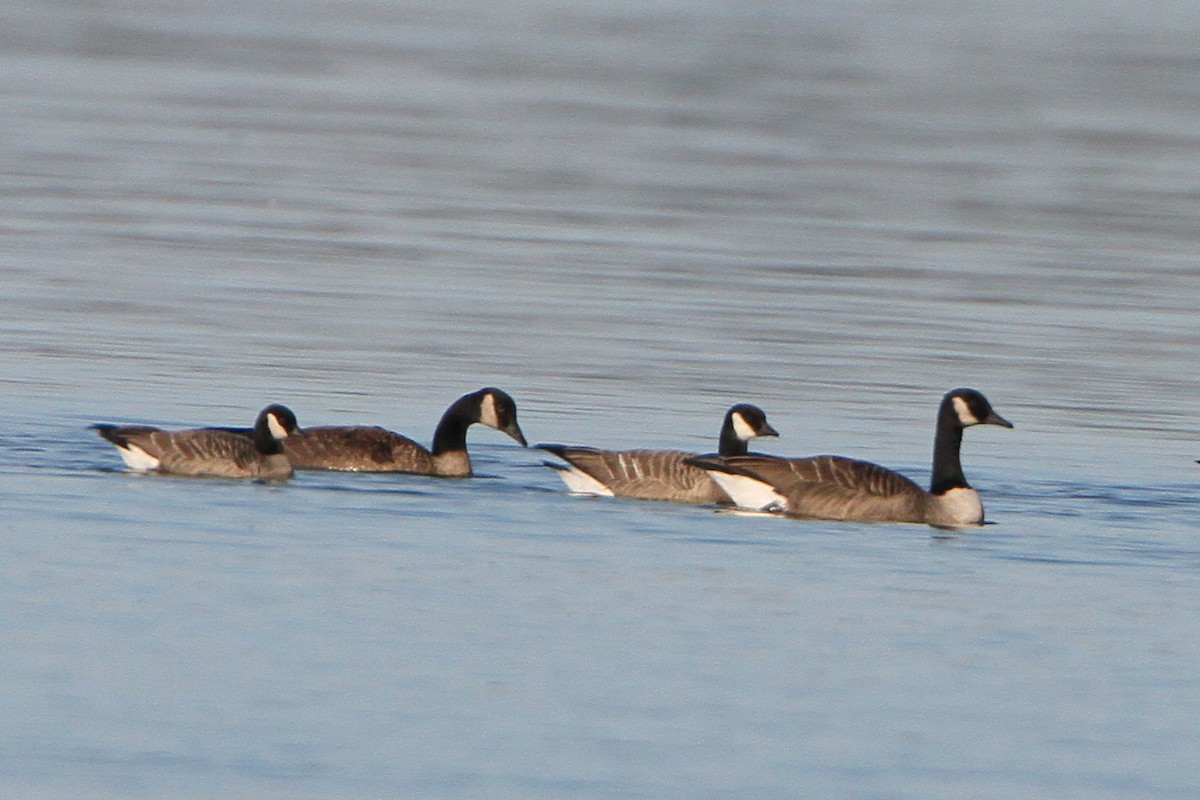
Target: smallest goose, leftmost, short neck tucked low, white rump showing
(211,453)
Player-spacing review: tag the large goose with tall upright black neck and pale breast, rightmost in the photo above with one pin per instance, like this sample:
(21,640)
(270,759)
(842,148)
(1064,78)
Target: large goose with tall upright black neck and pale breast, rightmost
(833,488)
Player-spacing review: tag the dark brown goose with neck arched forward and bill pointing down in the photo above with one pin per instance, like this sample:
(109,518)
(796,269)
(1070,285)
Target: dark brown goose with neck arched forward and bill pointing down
(379,450)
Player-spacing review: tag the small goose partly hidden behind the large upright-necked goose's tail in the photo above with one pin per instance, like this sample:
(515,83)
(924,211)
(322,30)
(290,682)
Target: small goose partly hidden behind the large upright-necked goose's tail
(657,474)
